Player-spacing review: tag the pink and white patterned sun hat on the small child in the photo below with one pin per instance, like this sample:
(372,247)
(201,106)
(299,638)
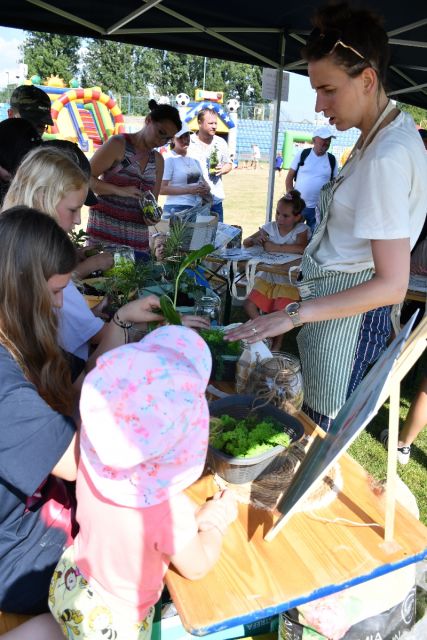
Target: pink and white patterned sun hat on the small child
(145,419)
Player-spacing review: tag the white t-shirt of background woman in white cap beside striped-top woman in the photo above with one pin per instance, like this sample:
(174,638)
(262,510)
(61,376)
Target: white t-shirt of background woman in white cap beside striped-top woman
(182,171)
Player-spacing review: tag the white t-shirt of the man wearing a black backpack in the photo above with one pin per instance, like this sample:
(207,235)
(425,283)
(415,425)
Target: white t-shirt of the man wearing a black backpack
(314,173)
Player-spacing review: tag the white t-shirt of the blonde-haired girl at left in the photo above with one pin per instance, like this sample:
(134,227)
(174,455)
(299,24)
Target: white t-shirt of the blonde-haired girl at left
(77,323)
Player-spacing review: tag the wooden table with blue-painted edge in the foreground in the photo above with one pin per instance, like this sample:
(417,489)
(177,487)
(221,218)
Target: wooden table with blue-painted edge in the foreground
(308,558)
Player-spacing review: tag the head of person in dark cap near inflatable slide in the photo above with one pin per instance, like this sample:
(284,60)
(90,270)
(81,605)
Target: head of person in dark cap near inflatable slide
(32,104)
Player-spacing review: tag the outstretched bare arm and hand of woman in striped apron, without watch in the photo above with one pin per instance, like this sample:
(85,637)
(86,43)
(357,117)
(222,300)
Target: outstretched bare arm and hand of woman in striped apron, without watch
(387,287)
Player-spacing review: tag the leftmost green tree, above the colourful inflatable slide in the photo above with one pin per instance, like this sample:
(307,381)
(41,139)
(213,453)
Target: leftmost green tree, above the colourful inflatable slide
(49,54)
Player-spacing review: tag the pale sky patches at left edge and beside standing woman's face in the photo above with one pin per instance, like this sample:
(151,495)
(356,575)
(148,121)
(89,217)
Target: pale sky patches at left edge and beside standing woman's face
(300,105)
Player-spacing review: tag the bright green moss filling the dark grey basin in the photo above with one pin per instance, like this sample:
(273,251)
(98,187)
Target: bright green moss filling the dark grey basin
(247,438)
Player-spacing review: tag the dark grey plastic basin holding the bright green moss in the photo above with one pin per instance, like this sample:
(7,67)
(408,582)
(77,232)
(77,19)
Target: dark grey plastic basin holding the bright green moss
(241,470)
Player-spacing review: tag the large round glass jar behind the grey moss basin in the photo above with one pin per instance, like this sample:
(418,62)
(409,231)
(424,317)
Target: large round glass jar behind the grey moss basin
(278,380)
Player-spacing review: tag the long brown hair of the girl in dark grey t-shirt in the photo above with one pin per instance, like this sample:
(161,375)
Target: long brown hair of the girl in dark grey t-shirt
(33,248)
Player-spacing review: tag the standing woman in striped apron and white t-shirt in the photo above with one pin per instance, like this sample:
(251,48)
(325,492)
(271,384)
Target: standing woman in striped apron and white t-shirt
(357,264)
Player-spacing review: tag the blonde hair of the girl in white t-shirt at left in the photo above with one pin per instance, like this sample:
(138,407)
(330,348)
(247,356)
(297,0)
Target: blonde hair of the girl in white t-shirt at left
(44,177)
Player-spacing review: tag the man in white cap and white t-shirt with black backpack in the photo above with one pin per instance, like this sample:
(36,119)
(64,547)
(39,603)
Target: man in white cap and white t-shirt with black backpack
(310,170)
